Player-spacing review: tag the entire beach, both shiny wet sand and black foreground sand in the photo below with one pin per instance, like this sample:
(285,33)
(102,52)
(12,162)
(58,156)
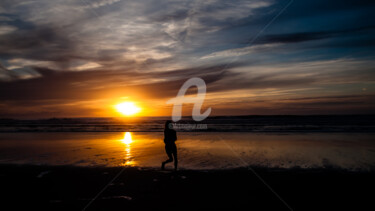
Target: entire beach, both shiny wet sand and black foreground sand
(108,171)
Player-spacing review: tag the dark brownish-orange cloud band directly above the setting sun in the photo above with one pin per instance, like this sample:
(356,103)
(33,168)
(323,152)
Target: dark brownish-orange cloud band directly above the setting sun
(53,85)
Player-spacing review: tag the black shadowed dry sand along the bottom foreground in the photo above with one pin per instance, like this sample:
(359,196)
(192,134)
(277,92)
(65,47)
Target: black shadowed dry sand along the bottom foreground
(26,187)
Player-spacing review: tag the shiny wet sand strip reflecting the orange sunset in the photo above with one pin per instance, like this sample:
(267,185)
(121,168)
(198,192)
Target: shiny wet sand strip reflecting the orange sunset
(197,151)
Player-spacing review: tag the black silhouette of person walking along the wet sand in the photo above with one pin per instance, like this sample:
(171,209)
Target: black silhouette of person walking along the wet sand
(170,147)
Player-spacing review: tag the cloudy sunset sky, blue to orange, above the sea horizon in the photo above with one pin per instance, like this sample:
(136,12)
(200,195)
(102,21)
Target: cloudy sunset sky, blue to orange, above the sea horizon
(79,58)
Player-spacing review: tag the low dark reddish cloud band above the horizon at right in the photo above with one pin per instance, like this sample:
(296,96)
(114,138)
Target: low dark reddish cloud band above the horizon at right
(315,105)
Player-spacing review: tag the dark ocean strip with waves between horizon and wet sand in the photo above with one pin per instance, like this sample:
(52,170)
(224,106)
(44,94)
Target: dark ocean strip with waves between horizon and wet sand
(279,123)
